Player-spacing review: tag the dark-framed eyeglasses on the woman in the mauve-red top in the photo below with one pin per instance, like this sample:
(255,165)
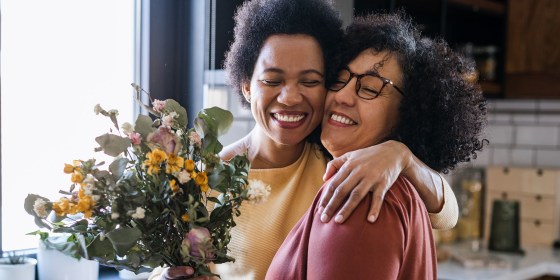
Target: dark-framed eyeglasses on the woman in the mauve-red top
(368,85)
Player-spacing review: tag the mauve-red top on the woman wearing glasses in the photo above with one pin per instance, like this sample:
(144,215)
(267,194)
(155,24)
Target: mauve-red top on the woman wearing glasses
(399,245)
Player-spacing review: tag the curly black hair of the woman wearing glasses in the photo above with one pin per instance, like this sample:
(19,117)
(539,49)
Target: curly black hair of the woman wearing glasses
(443,112)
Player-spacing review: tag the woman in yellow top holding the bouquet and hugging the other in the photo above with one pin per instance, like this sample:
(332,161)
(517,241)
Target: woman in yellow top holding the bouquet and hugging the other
(277,64)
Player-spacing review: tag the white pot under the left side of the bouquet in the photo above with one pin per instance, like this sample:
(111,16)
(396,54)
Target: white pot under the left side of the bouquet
(54,265)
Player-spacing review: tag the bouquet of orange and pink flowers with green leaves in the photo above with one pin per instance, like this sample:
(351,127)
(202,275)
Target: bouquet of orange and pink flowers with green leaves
(165,199)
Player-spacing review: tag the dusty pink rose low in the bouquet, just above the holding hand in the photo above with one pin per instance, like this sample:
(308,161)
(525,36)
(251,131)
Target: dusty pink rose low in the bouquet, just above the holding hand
(198,244)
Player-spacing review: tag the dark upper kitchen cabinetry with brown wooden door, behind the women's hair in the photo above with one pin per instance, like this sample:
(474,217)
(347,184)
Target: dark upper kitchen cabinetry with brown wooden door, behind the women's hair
(514,42)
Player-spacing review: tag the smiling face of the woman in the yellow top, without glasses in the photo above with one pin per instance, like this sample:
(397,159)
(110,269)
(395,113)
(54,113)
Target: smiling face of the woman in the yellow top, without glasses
(287,88)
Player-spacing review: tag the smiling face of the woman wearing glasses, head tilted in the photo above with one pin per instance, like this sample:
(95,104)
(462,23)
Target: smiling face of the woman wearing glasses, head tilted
(350,122)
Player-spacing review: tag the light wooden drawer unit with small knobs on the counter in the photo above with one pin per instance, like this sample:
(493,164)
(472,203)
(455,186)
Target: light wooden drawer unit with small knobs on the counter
(537,192)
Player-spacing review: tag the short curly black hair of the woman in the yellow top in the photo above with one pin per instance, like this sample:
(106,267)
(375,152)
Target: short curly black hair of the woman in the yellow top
(256,20)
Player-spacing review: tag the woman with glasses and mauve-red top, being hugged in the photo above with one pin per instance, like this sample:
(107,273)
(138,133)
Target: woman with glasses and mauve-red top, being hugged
(394,85)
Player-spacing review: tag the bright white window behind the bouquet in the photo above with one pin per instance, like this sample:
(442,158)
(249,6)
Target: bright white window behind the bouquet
(58,60)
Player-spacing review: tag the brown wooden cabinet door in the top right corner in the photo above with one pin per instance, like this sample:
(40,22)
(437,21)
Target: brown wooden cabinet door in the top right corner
(532,68)
